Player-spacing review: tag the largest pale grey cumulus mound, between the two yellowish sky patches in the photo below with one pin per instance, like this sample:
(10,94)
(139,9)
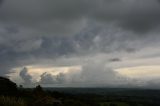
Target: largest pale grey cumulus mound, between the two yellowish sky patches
(98,74)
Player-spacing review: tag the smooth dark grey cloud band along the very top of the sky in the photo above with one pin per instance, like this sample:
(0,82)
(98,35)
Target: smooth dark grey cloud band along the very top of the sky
(137,15)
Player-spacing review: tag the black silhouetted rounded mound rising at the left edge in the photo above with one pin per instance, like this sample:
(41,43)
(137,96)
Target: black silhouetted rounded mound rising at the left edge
(7,87)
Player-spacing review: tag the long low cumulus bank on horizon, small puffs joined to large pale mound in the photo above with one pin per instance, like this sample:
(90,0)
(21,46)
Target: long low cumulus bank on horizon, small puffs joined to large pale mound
(91,74)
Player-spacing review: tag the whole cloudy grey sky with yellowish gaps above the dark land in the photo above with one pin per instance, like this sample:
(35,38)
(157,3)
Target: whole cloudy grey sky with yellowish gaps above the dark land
(80,43)
